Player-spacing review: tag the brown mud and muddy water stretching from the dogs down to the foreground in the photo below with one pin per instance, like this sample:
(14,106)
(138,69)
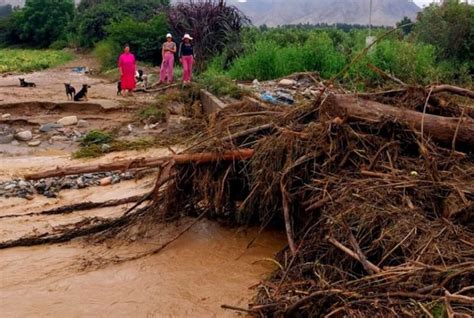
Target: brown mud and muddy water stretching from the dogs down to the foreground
(207,267)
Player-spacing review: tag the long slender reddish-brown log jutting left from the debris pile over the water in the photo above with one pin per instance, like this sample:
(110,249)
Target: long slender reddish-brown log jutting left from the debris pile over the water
(196,158)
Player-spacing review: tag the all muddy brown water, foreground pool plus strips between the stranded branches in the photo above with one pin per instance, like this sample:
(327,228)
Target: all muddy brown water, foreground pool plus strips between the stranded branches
(207,267)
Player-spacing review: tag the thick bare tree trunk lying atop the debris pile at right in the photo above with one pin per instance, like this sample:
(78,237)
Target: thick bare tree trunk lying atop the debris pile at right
(441,129)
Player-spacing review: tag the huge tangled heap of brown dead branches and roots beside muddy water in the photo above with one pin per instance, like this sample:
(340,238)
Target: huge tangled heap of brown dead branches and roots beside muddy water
(377,200)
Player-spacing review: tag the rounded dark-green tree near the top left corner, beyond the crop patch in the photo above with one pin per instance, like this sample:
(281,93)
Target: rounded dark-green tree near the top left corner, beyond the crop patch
(41,22)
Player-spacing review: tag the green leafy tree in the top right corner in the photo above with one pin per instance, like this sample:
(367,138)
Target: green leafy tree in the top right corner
(450,28)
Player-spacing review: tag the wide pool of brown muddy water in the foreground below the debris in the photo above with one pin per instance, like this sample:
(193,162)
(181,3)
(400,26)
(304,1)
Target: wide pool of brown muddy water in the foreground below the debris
(205,268)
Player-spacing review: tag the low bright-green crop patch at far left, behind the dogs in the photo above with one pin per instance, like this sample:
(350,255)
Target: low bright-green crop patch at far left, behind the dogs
(20,60)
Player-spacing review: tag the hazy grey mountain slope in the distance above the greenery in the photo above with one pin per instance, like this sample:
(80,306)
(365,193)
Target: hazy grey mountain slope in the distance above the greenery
(278,12)
